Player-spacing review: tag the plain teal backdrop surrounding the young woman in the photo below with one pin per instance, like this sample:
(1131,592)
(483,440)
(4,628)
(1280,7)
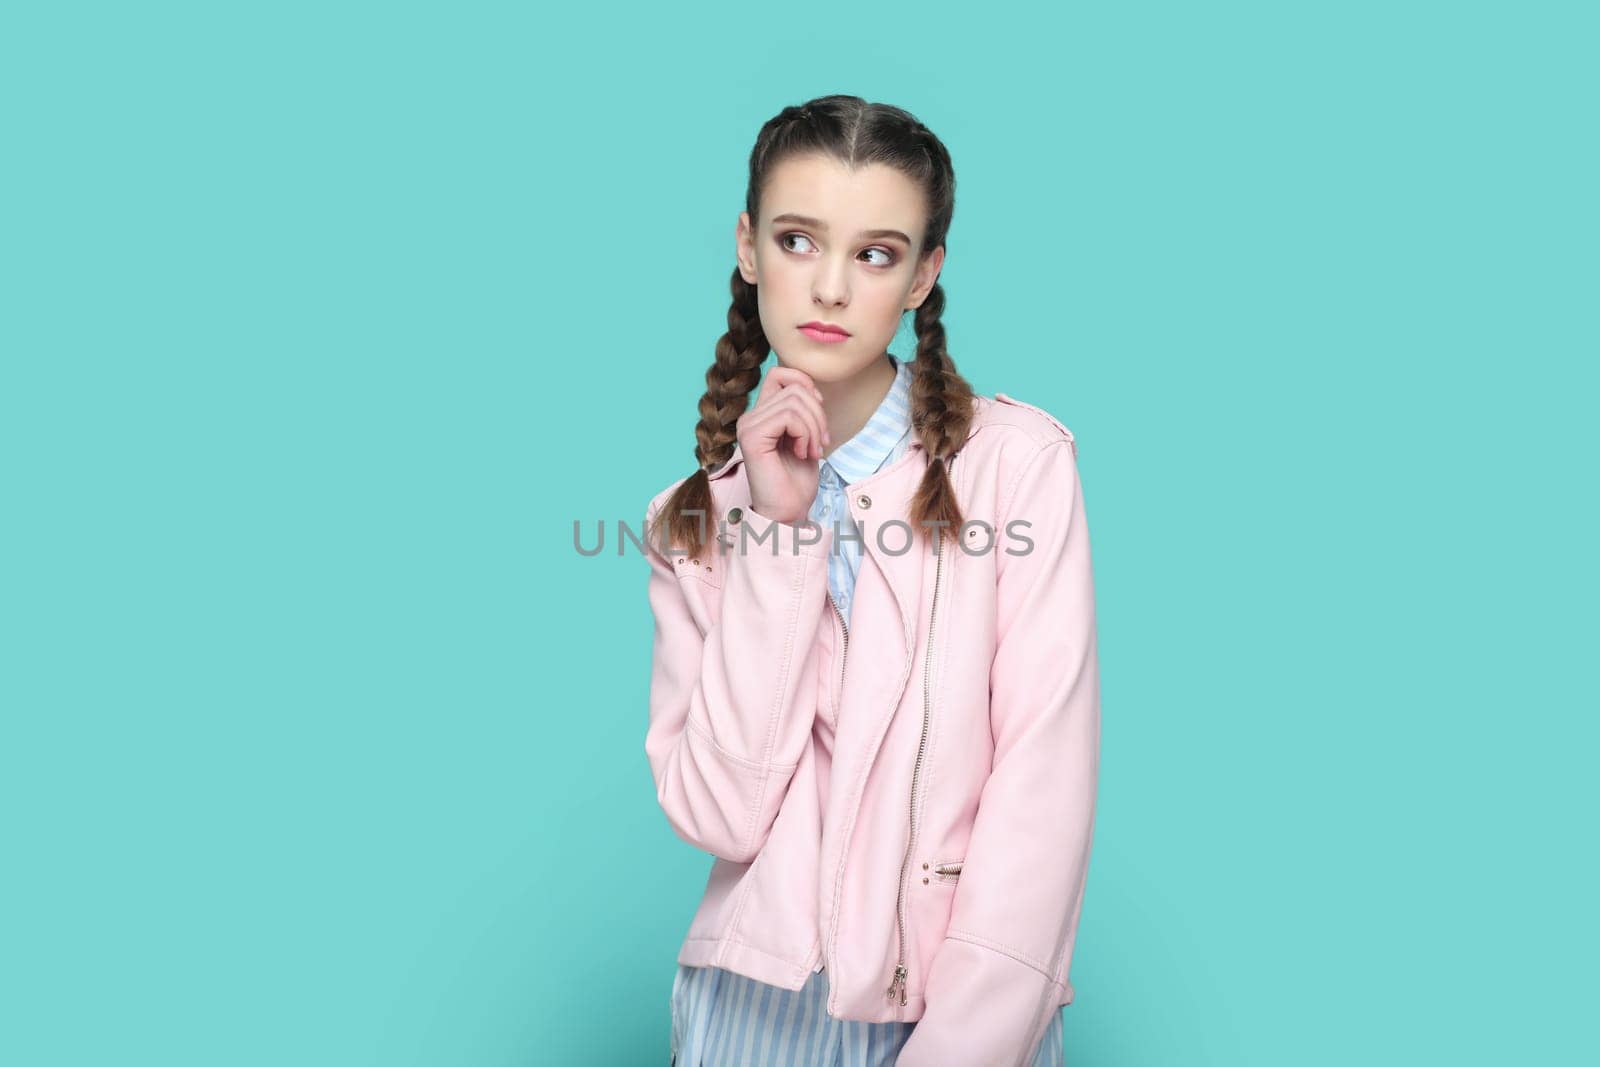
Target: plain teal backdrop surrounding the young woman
(322,326)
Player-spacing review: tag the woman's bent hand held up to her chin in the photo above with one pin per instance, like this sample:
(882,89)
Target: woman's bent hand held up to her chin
(782,439)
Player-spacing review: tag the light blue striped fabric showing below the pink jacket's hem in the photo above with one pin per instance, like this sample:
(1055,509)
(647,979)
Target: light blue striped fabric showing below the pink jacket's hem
(726,1020)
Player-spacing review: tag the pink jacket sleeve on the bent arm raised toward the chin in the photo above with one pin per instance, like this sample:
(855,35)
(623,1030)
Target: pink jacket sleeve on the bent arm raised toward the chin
(734,705)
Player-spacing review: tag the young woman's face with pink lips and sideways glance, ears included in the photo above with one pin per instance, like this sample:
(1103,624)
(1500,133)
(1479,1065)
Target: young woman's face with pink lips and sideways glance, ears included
(836,247)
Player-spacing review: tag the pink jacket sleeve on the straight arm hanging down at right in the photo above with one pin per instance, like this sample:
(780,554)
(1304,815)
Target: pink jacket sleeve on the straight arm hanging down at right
(1001,973)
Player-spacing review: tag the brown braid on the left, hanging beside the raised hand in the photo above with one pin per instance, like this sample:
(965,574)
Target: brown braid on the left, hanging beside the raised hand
(737,370)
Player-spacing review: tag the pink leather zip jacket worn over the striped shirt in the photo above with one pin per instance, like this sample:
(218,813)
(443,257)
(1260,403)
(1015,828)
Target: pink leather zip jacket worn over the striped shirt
(908,801)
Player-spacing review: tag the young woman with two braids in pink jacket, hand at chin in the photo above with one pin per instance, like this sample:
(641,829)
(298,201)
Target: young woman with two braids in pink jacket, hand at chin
(874,693)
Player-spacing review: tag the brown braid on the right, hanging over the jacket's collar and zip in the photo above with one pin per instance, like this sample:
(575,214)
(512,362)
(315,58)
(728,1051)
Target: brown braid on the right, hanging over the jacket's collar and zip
(942,415)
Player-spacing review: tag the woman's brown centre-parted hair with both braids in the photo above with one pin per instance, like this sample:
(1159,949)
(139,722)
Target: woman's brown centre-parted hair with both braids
(857,134)
